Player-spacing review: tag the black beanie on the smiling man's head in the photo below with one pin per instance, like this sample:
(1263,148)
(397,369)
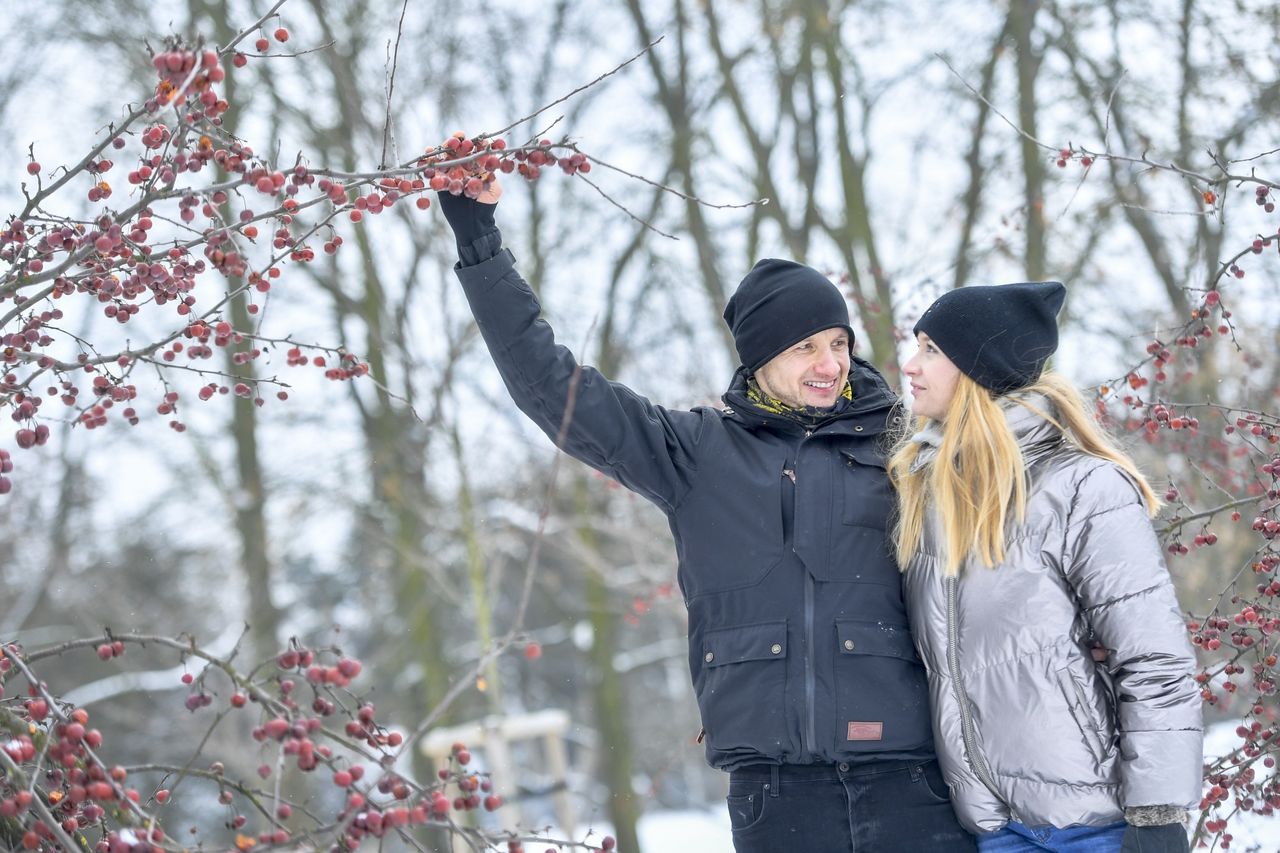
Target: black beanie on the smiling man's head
(778,304)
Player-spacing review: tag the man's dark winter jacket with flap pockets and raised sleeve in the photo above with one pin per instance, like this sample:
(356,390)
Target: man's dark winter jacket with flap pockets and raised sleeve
(798,640)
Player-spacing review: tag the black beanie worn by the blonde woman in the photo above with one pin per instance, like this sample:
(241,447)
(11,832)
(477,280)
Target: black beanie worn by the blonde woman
(1002,335)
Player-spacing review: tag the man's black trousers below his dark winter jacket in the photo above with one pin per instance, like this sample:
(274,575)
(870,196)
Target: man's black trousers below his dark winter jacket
(880,808)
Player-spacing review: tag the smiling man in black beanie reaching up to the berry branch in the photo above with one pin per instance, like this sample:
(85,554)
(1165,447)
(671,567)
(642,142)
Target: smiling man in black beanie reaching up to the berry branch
(811,692)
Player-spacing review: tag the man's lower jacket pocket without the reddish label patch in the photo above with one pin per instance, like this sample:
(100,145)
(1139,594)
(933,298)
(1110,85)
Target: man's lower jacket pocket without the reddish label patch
(743,688)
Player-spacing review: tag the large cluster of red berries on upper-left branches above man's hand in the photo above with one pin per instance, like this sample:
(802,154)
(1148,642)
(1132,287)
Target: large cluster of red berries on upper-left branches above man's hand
(121,262)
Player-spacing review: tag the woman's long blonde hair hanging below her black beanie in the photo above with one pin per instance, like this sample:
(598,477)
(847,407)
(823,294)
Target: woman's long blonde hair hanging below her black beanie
(979,477)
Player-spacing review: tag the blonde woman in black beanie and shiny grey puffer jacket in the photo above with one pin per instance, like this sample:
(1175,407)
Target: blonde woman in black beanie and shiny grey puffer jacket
(1026,542)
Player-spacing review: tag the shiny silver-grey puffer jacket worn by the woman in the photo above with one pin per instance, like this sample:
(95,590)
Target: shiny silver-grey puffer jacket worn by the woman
(1026,726)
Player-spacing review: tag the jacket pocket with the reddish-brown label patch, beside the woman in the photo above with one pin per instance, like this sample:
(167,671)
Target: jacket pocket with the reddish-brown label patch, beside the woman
(881,692)
